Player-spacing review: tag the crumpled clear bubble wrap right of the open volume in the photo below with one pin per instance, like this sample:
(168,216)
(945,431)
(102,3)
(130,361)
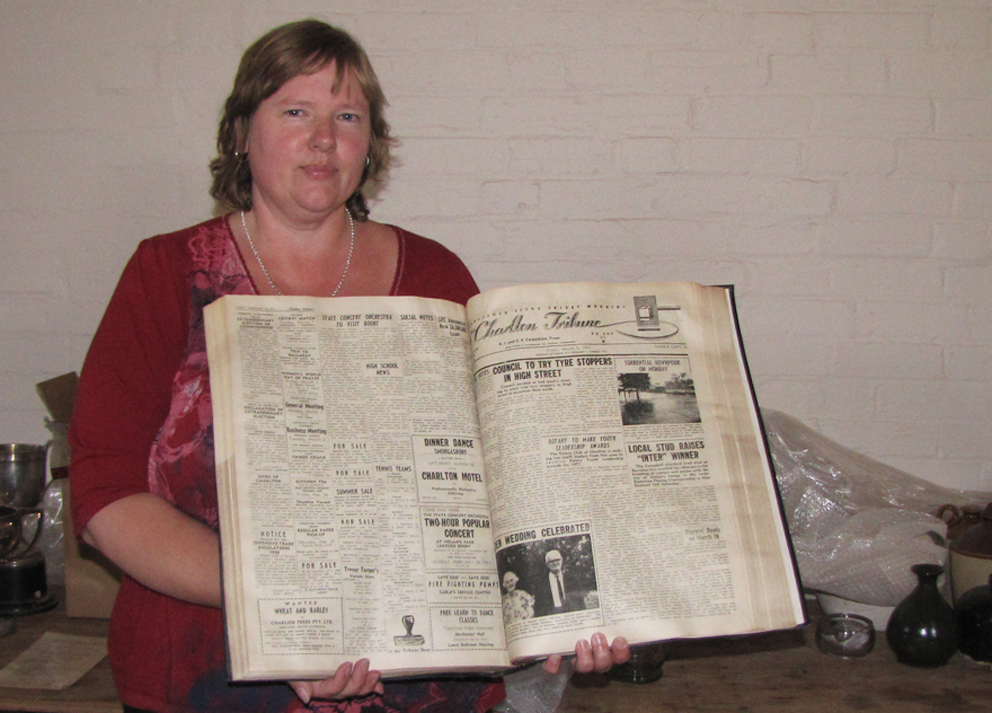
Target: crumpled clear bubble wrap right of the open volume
(857,525)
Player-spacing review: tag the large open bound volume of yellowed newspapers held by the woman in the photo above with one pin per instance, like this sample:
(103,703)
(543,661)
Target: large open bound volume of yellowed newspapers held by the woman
(442,488)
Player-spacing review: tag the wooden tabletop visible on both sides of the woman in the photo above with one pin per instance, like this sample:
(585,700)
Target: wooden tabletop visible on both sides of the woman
(772,672)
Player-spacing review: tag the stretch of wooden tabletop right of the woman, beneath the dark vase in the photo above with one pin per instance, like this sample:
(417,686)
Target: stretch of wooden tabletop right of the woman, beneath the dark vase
(784,671)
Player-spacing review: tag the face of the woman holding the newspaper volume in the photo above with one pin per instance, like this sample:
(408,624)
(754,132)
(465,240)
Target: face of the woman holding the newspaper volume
(307,146)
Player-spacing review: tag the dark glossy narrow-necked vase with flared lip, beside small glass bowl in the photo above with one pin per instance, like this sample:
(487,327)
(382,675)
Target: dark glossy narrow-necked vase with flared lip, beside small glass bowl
(922,630)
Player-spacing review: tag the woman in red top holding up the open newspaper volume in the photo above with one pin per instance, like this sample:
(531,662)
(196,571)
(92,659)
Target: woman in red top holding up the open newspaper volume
(301,134)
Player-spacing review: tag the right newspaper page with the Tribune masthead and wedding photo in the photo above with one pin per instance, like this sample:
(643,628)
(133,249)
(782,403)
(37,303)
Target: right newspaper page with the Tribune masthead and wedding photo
(624,455)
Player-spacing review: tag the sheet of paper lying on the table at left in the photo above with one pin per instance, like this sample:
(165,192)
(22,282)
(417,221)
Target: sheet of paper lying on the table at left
(55,661)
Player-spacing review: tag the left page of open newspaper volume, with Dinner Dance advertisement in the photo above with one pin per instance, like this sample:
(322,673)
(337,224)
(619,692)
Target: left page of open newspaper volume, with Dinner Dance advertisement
(354,516)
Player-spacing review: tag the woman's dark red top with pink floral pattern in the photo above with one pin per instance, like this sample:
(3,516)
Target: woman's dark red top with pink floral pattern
(143,423)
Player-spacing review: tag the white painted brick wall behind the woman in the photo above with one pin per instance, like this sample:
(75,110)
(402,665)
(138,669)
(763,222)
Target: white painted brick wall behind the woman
(831,159)
